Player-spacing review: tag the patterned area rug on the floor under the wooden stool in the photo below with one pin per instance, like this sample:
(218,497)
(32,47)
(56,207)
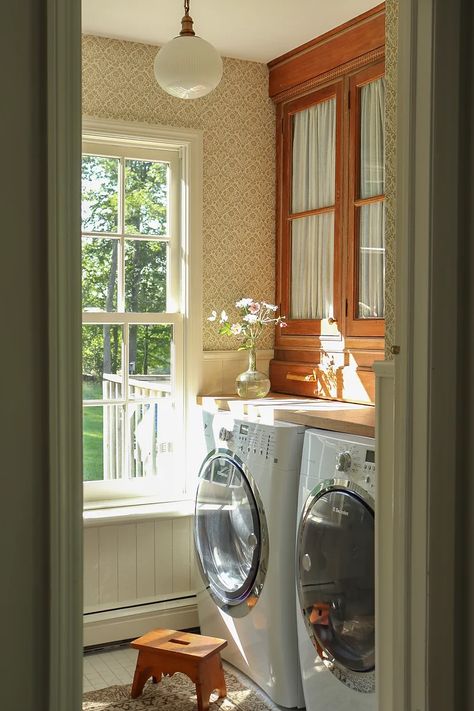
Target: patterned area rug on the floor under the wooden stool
(176,693)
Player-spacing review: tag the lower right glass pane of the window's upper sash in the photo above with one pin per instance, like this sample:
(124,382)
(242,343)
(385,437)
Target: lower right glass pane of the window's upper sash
(146,265)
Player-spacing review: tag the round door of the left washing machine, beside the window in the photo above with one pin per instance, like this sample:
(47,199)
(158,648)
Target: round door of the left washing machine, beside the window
(230,533)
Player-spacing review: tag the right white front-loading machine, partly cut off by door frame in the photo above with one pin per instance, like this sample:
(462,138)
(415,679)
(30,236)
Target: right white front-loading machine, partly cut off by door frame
(335,572)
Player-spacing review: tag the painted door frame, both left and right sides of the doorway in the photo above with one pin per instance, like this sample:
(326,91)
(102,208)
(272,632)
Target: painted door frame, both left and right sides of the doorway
(426,410)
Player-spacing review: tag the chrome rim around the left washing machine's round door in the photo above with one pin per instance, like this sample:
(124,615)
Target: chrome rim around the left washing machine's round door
(241,606)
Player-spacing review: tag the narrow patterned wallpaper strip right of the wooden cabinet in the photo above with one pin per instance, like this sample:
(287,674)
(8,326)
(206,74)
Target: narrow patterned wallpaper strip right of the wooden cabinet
(391,62)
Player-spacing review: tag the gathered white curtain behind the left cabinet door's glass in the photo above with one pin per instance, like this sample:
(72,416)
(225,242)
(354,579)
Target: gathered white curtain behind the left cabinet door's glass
(313,186)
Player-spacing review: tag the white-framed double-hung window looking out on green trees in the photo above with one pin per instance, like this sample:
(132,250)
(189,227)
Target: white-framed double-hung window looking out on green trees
(134,286)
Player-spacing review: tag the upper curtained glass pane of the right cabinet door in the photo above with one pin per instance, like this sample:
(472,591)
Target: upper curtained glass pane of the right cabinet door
(372,139)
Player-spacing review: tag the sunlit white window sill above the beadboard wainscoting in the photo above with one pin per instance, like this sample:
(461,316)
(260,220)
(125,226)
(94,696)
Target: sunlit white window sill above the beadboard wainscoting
(135,513)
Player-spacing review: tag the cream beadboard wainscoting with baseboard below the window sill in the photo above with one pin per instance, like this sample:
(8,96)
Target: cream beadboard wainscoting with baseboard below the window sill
(138,575)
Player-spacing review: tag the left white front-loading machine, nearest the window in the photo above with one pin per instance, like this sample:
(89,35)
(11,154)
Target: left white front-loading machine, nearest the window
(244,529)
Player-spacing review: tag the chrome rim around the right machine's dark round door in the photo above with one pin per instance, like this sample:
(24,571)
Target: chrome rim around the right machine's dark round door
(363,681)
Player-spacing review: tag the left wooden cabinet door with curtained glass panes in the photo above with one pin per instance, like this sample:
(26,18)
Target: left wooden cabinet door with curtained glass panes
(311,216)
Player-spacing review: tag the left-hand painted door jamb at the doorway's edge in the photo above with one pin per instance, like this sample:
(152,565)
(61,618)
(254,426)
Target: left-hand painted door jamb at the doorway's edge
(63,34)
